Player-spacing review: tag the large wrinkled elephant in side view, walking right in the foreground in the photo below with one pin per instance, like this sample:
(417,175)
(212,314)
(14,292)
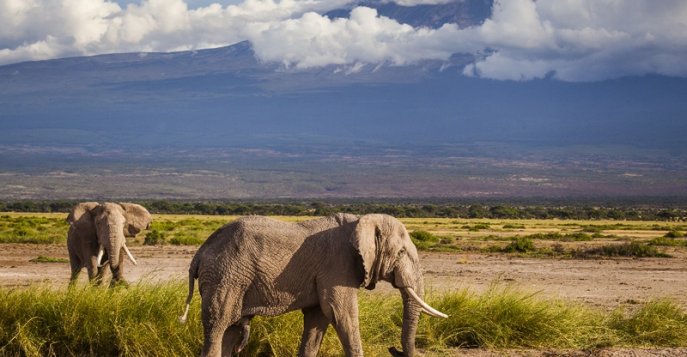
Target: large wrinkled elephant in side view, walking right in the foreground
(261,266)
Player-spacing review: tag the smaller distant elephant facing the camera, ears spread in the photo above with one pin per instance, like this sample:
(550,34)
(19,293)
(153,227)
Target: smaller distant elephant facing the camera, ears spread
(97,231)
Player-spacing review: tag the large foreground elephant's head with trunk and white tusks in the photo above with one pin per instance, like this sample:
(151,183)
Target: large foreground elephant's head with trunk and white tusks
(387,253)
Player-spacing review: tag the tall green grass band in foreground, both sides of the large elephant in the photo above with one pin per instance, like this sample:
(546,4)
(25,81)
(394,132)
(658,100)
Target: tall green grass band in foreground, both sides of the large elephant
(142,320)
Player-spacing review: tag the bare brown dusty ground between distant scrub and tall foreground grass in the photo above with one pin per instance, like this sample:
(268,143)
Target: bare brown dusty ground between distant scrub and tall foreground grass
(605,283)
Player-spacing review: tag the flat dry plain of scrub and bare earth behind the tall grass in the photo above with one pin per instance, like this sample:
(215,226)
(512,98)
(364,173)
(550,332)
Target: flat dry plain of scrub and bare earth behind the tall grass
(550,259)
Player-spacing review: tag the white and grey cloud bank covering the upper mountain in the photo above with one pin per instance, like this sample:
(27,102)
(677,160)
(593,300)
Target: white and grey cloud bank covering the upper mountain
(572,40)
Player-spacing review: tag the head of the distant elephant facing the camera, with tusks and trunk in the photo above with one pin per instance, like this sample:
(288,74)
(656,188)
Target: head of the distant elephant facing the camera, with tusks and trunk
(114,222)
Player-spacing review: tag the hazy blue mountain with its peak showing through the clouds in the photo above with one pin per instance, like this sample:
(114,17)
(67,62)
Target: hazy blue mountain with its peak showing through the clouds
(218,123)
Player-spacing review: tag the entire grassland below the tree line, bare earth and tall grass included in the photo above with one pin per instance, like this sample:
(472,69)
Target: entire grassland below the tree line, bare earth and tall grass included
(512,287)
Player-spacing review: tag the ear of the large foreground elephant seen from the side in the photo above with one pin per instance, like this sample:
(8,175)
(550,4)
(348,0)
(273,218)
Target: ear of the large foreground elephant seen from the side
(367,239)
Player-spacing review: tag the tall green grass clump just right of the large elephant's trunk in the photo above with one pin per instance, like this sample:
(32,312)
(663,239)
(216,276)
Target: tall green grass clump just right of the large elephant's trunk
(506,318)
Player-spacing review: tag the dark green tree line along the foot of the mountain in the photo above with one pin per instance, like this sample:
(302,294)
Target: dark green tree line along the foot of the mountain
(407,209)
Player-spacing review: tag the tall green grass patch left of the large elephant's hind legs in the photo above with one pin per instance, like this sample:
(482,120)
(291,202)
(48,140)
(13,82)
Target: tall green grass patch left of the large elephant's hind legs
(133,321)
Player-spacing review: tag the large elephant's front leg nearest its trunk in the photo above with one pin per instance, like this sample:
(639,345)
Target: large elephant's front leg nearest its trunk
(340,305)
